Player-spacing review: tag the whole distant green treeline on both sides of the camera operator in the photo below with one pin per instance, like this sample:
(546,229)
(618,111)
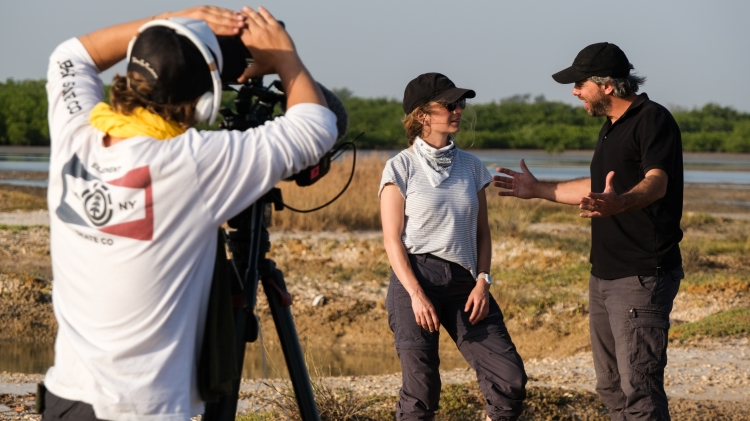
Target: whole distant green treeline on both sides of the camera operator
(518,122)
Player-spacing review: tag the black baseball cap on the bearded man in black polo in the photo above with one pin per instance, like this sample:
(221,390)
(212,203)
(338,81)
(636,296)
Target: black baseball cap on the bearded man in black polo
(600,59)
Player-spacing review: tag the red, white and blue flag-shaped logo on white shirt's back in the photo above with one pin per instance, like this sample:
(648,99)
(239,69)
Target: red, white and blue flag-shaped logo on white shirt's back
(121,207)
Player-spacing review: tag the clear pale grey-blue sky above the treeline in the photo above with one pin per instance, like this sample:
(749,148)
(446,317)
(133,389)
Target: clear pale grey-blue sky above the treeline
(692,52)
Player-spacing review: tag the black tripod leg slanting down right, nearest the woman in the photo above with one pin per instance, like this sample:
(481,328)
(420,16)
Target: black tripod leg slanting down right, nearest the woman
(295,360)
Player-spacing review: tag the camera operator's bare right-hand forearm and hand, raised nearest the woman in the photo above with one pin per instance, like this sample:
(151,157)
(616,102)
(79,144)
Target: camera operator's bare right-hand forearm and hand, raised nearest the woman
(274,52)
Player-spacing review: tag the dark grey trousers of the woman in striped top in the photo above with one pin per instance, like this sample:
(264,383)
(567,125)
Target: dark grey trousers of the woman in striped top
(486,346)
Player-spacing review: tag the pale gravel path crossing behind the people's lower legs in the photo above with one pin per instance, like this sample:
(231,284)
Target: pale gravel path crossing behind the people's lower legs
(700,376)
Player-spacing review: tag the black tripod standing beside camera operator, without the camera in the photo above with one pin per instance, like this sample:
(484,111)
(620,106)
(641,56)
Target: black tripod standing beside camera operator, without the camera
(251,239)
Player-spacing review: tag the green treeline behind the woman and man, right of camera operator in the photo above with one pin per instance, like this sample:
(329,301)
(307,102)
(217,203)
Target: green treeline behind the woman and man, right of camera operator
(520,122)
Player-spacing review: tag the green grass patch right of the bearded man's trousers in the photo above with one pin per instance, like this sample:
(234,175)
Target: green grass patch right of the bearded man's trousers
(726,323)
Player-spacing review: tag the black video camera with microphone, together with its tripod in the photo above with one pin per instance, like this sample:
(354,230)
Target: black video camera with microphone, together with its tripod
(249,244)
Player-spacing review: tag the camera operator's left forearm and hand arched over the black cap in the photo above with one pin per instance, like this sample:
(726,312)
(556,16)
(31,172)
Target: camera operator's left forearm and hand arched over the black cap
(109,45)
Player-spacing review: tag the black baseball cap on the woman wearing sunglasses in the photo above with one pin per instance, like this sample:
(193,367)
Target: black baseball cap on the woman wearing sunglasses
(432,87)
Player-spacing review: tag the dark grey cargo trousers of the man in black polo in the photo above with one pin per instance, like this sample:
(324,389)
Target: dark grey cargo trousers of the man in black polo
(629,322)
